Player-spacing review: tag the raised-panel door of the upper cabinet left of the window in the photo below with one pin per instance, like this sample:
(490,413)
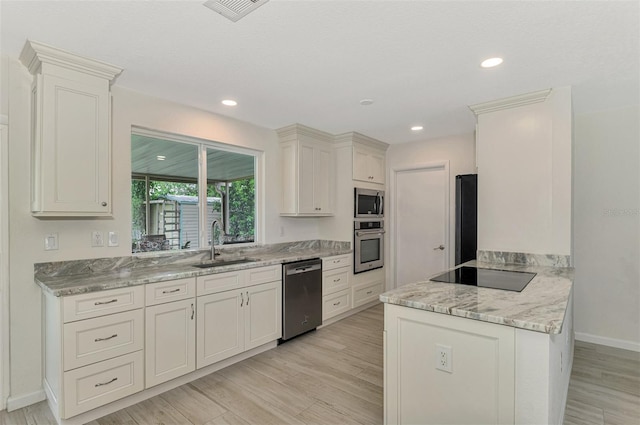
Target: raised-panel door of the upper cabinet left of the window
(72,147)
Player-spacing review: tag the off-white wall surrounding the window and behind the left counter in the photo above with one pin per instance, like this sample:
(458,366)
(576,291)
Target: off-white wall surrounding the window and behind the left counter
(27,233)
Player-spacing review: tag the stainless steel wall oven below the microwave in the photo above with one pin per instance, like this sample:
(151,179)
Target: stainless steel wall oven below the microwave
(368,242)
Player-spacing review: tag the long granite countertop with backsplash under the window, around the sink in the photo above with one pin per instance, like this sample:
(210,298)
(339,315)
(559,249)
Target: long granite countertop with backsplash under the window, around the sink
(77,277)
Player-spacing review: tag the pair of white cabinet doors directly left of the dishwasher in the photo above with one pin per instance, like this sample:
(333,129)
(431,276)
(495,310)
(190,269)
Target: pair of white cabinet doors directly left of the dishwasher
(231,322)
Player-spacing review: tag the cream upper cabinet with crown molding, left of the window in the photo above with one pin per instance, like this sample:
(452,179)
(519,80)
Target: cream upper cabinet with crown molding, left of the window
(70,123)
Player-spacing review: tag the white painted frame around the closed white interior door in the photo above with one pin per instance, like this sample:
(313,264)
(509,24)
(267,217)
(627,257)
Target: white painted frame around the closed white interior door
(391,276)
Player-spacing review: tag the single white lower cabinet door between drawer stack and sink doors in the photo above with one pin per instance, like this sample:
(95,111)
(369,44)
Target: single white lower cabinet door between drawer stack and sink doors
(170,341)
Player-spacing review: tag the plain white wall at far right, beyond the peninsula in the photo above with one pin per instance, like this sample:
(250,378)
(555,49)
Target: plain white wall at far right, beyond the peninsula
(606,224)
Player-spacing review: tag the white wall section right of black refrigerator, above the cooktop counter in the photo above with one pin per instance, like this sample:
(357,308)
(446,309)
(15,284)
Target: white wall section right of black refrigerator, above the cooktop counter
(524,177)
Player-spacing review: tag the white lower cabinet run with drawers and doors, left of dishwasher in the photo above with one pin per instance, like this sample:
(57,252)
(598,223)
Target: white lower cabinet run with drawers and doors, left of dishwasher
(103,346)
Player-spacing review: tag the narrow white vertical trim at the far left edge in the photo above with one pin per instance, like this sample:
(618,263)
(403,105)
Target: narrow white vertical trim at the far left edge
(4,267)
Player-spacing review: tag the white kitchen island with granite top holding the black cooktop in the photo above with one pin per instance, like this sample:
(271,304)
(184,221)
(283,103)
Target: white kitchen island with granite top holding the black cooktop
(465,354)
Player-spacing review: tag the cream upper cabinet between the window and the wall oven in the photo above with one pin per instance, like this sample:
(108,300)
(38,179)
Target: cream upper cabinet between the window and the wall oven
(307,163)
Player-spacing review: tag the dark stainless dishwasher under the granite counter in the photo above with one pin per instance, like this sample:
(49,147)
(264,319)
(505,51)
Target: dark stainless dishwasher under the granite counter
(301,297)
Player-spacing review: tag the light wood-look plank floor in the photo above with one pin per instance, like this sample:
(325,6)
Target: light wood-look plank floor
(334,376)
